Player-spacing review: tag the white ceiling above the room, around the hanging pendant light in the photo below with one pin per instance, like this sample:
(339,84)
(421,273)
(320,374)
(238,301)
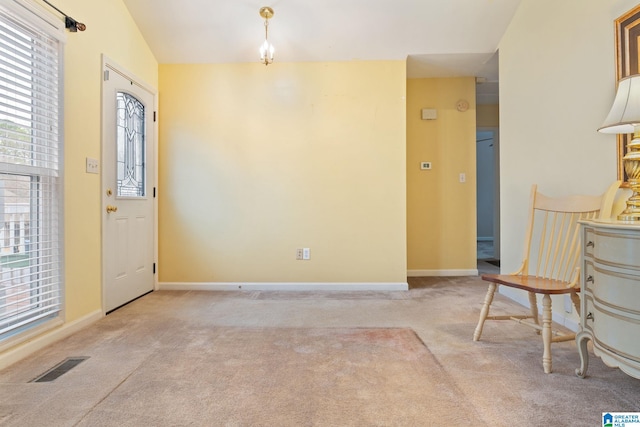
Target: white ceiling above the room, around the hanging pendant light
(438,38)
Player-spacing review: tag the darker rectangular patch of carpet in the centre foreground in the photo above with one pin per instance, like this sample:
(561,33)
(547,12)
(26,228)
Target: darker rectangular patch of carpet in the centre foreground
(274,376)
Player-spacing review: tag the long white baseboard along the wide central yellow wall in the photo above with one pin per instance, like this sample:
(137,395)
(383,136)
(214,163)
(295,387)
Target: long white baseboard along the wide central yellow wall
(286,286)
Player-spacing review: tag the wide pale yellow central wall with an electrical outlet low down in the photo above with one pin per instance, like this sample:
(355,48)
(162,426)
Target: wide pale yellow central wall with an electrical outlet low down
(257,161)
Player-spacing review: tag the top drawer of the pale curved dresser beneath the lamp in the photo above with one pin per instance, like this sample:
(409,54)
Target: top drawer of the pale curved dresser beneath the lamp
(617,248)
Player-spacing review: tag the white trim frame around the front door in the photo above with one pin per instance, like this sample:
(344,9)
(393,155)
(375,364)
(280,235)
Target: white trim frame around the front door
(108,63)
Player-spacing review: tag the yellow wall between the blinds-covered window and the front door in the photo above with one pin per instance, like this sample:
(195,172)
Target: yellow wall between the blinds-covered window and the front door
(110,30)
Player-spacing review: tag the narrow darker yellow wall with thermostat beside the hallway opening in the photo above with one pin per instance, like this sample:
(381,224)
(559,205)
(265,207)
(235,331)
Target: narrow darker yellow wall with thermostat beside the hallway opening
(441,211)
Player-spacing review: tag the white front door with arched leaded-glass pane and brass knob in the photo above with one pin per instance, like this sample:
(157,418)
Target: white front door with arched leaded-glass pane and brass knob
(128,180)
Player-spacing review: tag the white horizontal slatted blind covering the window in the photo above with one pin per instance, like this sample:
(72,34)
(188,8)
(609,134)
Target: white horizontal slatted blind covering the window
(30,180)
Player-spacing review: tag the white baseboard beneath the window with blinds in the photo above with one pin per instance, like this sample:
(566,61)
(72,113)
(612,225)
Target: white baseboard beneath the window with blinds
(47,334)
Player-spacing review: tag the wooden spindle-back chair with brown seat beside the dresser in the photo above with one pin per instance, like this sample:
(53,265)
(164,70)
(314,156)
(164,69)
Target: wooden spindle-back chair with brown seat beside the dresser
(551,262)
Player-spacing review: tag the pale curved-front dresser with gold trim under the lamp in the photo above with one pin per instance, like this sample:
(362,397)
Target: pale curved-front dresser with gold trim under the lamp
(610,295)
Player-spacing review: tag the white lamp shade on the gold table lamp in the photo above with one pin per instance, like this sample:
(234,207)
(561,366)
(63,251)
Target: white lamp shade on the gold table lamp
(625,111)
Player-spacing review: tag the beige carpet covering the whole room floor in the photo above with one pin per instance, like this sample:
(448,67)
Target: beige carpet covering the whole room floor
(313,359)
